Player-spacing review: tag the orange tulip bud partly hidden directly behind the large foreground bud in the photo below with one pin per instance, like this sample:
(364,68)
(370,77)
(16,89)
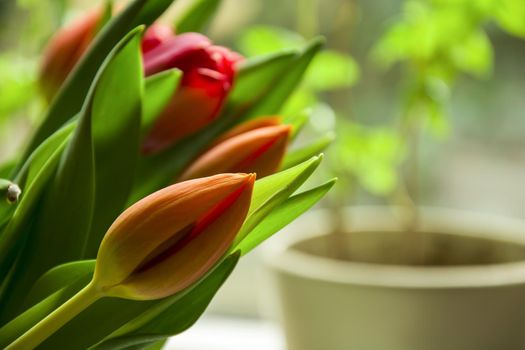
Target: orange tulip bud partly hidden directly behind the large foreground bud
(257,151)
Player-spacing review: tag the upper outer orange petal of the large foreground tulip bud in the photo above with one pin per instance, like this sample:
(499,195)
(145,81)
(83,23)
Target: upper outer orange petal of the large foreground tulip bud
(155,220)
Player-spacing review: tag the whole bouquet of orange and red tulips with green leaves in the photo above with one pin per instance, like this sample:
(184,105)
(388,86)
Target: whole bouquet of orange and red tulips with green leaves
(159,162)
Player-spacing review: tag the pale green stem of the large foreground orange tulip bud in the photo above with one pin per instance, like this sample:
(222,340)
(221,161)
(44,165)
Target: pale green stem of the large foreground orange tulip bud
(58,318)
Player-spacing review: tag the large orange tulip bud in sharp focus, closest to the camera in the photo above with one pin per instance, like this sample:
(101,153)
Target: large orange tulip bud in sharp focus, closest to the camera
(170,239)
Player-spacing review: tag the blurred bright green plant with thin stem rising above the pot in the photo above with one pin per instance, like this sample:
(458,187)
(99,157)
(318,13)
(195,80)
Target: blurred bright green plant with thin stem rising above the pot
(434,42)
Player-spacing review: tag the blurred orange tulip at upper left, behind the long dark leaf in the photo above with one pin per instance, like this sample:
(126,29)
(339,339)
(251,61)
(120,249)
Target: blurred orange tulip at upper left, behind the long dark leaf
(65,49)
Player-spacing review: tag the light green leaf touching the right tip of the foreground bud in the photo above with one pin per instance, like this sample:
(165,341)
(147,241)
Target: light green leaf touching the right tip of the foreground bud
(271,191)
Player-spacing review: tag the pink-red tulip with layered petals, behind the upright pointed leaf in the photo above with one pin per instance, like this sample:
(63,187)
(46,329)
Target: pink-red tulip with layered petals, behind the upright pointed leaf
(209,72)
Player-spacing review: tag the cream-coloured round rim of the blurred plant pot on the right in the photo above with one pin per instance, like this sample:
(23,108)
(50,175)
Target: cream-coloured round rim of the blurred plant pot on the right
(281,256)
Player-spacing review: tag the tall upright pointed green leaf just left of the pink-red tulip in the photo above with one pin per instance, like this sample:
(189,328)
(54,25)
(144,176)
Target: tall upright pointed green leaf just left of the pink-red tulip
(116,119)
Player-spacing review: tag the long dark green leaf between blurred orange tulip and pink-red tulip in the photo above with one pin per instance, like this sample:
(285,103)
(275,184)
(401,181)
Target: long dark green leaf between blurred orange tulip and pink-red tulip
(70,98)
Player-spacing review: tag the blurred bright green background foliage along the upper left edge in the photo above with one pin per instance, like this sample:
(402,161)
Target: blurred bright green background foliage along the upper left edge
(19,102)
